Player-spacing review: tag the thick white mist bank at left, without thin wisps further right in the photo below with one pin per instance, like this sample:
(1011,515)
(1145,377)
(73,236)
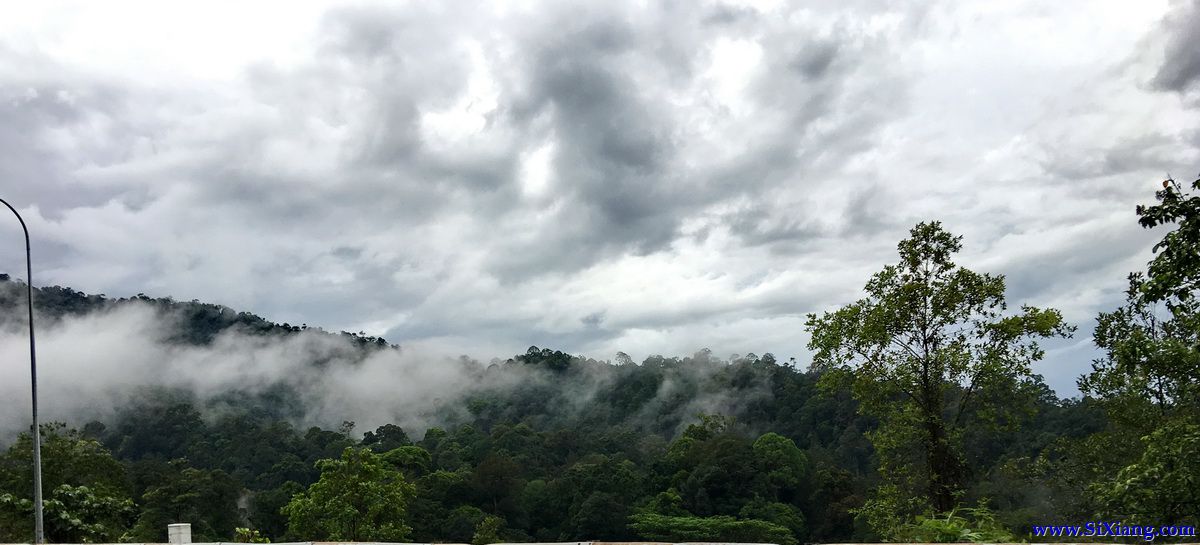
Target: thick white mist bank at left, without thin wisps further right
(92,366)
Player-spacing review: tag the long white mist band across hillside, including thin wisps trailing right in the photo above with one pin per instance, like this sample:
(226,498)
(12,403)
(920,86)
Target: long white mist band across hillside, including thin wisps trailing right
(94,366)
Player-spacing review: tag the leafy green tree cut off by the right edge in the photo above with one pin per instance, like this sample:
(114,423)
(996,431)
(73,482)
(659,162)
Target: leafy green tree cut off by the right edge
(1147,379)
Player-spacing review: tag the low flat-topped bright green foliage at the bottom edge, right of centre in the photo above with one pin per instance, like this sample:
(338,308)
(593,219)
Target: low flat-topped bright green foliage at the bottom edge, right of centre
(712,529)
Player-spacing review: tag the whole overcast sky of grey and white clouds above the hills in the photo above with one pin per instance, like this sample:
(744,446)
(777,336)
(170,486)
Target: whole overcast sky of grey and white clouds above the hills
(639,177)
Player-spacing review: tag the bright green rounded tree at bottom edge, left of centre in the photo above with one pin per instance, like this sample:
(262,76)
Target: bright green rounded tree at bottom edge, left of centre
(357,499)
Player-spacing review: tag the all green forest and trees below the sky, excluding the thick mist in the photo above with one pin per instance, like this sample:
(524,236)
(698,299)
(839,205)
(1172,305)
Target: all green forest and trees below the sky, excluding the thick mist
(920,420)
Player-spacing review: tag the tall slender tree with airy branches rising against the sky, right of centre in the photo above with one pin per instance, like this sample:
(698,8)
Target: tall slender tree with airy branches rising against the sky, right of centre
(920,352)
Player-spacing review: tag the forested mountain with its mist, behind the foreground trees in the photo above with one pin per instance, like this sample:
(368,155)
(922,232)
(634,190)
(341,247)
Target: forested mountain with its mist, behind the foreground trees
(544,446)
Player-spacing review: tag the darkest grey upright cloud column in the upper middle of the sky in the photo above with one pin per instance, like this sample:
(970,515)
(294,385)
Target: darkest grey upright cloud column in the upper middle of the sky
(614,146)
